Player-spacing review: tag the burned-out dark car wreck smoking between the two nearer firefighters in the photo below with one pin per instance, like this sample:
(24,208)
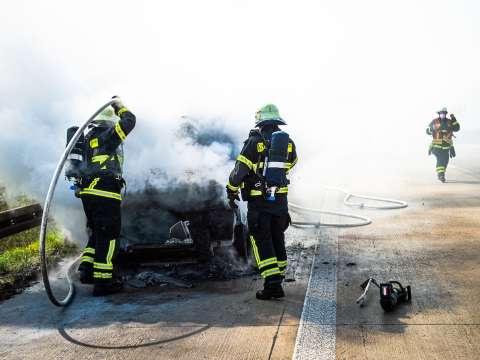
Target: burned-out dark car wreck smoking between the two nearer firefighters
(180,222)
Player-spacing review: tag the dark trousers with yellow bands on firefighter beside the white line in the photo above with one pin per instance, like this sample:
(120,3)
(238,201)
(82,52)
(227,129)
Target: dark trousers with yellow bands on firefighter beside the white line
(268,242)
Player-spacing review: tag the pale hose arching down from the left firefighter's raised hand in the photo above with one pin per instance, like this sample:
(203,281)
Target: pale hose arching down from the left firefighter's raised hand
(46,209)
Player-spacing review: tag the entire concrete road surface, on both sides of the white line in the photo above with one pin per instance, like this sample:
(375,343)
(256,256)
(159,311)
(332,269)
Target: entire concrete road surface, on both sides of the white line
(433,245)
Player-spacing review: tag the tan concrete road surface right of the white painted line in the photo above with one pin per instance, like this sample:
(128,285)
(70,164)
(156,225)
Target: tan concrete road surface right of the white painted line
(434,246)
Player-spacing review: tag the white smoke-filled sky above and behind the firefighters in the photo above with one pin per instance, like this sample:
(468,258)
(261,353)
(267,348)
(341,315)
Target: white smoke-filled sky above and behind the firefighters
(347,76)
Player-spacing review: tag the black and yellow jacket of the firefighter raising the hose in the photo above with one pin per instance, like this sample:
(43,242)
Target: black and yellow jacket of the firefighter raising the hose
(102,173)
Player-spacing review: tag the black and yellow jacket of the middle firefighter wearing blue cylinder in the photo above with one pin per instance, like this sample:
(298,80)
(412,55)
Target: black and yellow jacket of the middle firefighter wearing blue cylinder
(249,166)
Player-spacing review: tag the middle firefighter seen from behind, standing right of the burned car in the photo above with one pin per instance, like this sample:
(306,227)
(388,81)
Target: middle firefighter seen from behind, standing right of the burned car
(267,220)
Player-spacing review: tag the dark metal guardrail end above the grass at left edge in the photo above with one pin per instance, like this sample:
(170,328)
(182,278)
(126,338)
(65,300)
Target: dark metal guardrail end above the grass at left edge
(14,221)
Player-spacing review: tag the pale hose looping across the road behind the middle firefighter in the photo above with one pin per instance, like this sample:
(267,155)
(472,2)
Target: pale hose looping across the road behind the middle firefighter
(395,204)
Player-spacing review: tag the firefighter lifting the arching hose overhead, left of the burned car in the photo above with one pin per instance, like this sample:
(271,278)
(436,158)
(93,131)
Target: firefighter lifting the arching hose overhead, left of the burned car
(100,192)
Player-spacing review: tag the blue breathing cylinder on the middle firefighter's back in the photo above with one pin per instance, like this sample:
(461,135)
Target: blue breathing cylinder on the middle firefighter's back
(275,169)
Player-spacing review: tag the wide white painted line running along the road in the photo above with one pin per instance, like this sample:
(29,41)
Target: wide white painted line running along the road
(316,337)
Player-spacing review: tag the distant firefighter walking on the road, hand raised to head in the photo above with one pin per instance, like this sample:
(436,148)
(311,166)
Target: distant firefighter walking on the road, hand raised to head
(442,129)
